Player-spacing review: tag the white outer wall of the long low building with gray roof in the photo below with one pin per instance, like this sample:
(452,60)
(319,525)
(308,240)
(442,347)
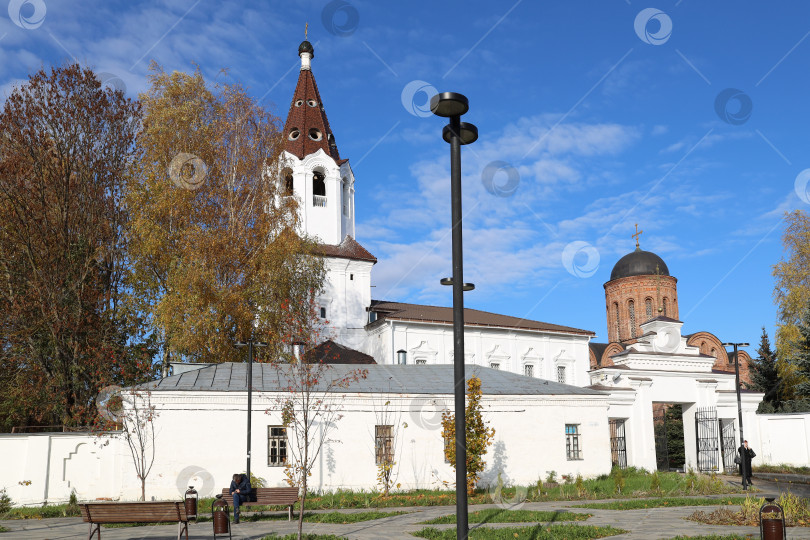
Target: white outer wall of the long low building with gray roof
(529,441)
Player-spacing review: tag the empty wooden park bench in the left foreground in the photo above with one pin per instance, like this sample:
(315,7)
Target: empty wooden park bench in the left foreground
(100,513)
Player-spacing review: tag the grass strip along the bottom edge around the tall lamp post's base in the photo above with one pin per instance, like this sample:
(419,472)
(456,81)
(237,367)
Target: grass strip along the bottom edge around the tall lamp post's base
(538,532)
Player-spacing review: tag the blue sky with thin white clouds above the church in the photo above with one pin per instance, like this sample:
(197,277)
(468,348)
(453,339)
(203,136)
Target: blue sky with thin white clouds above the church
(689,118)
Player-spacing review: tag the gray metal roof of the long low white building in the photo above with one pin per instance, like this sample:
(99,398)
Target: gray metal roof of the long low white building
(411,379)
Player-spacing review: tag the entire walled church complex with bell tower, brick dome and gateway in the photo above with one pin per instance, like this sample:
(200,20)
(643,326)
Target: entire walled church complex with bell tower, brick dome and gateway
(557,400)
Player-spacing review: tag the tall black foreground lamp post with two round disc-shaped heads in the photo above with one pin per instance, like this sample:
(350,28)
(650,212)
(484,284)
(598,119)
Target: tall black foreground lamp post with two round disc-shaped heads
(457,133)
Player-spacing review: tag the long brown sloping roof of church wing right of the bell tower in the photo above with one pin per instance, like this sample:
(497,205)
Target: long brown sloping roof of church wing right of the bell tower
(472,317)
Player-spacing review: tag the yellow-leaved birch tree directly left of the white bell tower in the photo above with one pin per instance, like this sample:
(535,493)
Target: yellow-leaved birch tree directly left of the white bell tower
(216,256)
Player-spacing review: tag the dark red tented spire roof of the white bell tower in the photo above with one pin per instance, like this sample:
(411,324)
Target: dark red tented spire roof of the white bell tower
(306,113)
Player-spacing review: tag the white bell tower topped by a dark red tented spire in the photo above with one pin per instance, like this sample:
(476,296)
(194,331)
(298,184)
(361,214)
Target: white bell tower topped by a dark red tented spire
(314,173)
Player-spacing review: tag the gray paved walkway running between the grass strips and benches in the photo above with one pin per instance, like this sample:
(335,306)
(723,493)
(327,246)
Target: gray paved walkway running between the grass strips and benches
(647,524)
